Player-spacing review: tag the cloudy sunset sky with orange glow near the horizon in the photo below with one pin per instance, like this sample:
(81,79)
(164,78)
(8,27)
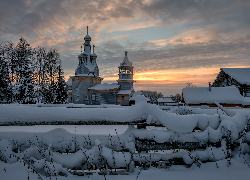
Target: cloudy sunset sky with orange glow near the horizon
(170,42)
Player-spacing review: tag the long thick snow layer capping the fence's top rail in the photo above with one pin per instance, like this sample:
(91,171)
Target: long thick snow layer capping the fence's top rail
(174,122)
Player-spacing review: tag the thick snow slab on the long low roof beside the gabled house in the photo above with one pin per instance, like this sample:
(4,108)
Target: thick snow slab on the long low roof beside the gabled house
(197,95)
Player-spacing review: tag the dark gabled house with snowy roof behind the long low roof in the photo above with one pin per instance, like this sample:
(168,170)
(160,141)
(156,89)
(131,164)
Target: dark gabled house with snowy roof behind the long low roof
(238,77)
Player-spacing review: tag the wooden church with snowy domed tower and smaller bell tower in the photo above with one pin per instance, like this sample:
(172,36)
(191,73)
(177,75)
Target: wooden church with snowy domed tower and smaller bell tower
(86,87)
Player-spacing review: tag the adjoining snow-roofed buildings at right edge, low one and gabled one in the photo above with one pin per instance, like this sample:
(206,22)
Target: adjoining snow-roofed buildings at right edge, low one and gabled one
(230,88)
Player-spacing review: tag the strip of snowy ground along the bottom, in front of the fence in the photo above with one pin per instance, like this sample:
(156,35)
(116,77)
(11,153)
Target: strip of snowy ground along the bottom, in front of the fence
(208,171)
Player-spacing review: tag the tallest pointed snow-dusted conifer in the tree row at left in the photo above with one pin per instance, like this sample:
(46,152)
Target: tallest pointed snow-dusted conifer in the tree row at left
(24,89)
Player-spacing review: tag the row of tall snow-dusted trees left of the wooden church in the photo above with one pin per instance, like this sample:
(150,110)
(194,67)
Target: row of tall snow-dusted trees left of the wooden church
(29,75)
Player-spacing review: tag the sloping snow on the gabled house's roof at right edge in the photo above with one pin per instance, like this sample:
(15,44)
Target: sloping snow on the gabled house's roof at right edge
(242,75)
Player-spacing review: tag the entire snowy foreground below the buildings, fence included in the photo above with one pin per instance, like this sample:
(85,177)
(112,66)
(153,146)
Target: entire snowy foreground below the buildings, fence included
(220,139)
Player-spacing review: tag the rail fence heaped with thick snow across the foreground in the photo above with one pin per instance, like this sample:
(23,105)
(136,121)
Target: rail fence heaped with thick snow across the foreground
(57,152)
